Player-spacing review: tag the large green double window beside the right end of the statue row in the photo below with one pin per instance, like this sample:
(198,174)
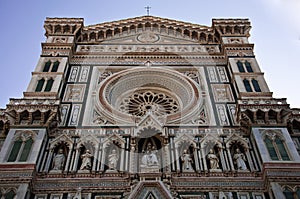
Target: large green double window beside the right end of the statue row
(276,147)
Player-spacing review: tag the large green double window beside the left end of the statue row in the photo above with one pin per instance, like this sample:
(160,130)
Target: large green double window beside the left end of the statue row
(21,149)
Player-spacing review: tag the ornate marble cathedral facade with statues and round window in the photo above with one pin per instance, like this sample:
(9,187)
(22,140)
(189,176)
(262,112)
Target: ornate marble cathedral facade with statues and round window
(148,107)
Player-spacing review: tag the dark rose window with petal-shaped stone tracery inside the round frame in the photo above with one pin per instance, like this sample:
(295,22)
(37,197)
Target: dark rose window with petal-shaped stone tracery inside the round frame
(158,103)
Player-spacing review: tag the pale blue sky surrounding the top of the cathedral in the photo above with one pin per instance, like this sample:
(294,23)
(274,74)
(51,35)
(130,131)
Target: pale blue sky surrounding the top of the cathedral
(275,33)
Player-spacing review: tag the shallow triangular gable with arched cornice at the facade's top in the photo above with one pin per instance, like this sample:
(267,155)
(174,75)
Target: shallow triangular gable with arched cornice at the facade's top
(147,29)
